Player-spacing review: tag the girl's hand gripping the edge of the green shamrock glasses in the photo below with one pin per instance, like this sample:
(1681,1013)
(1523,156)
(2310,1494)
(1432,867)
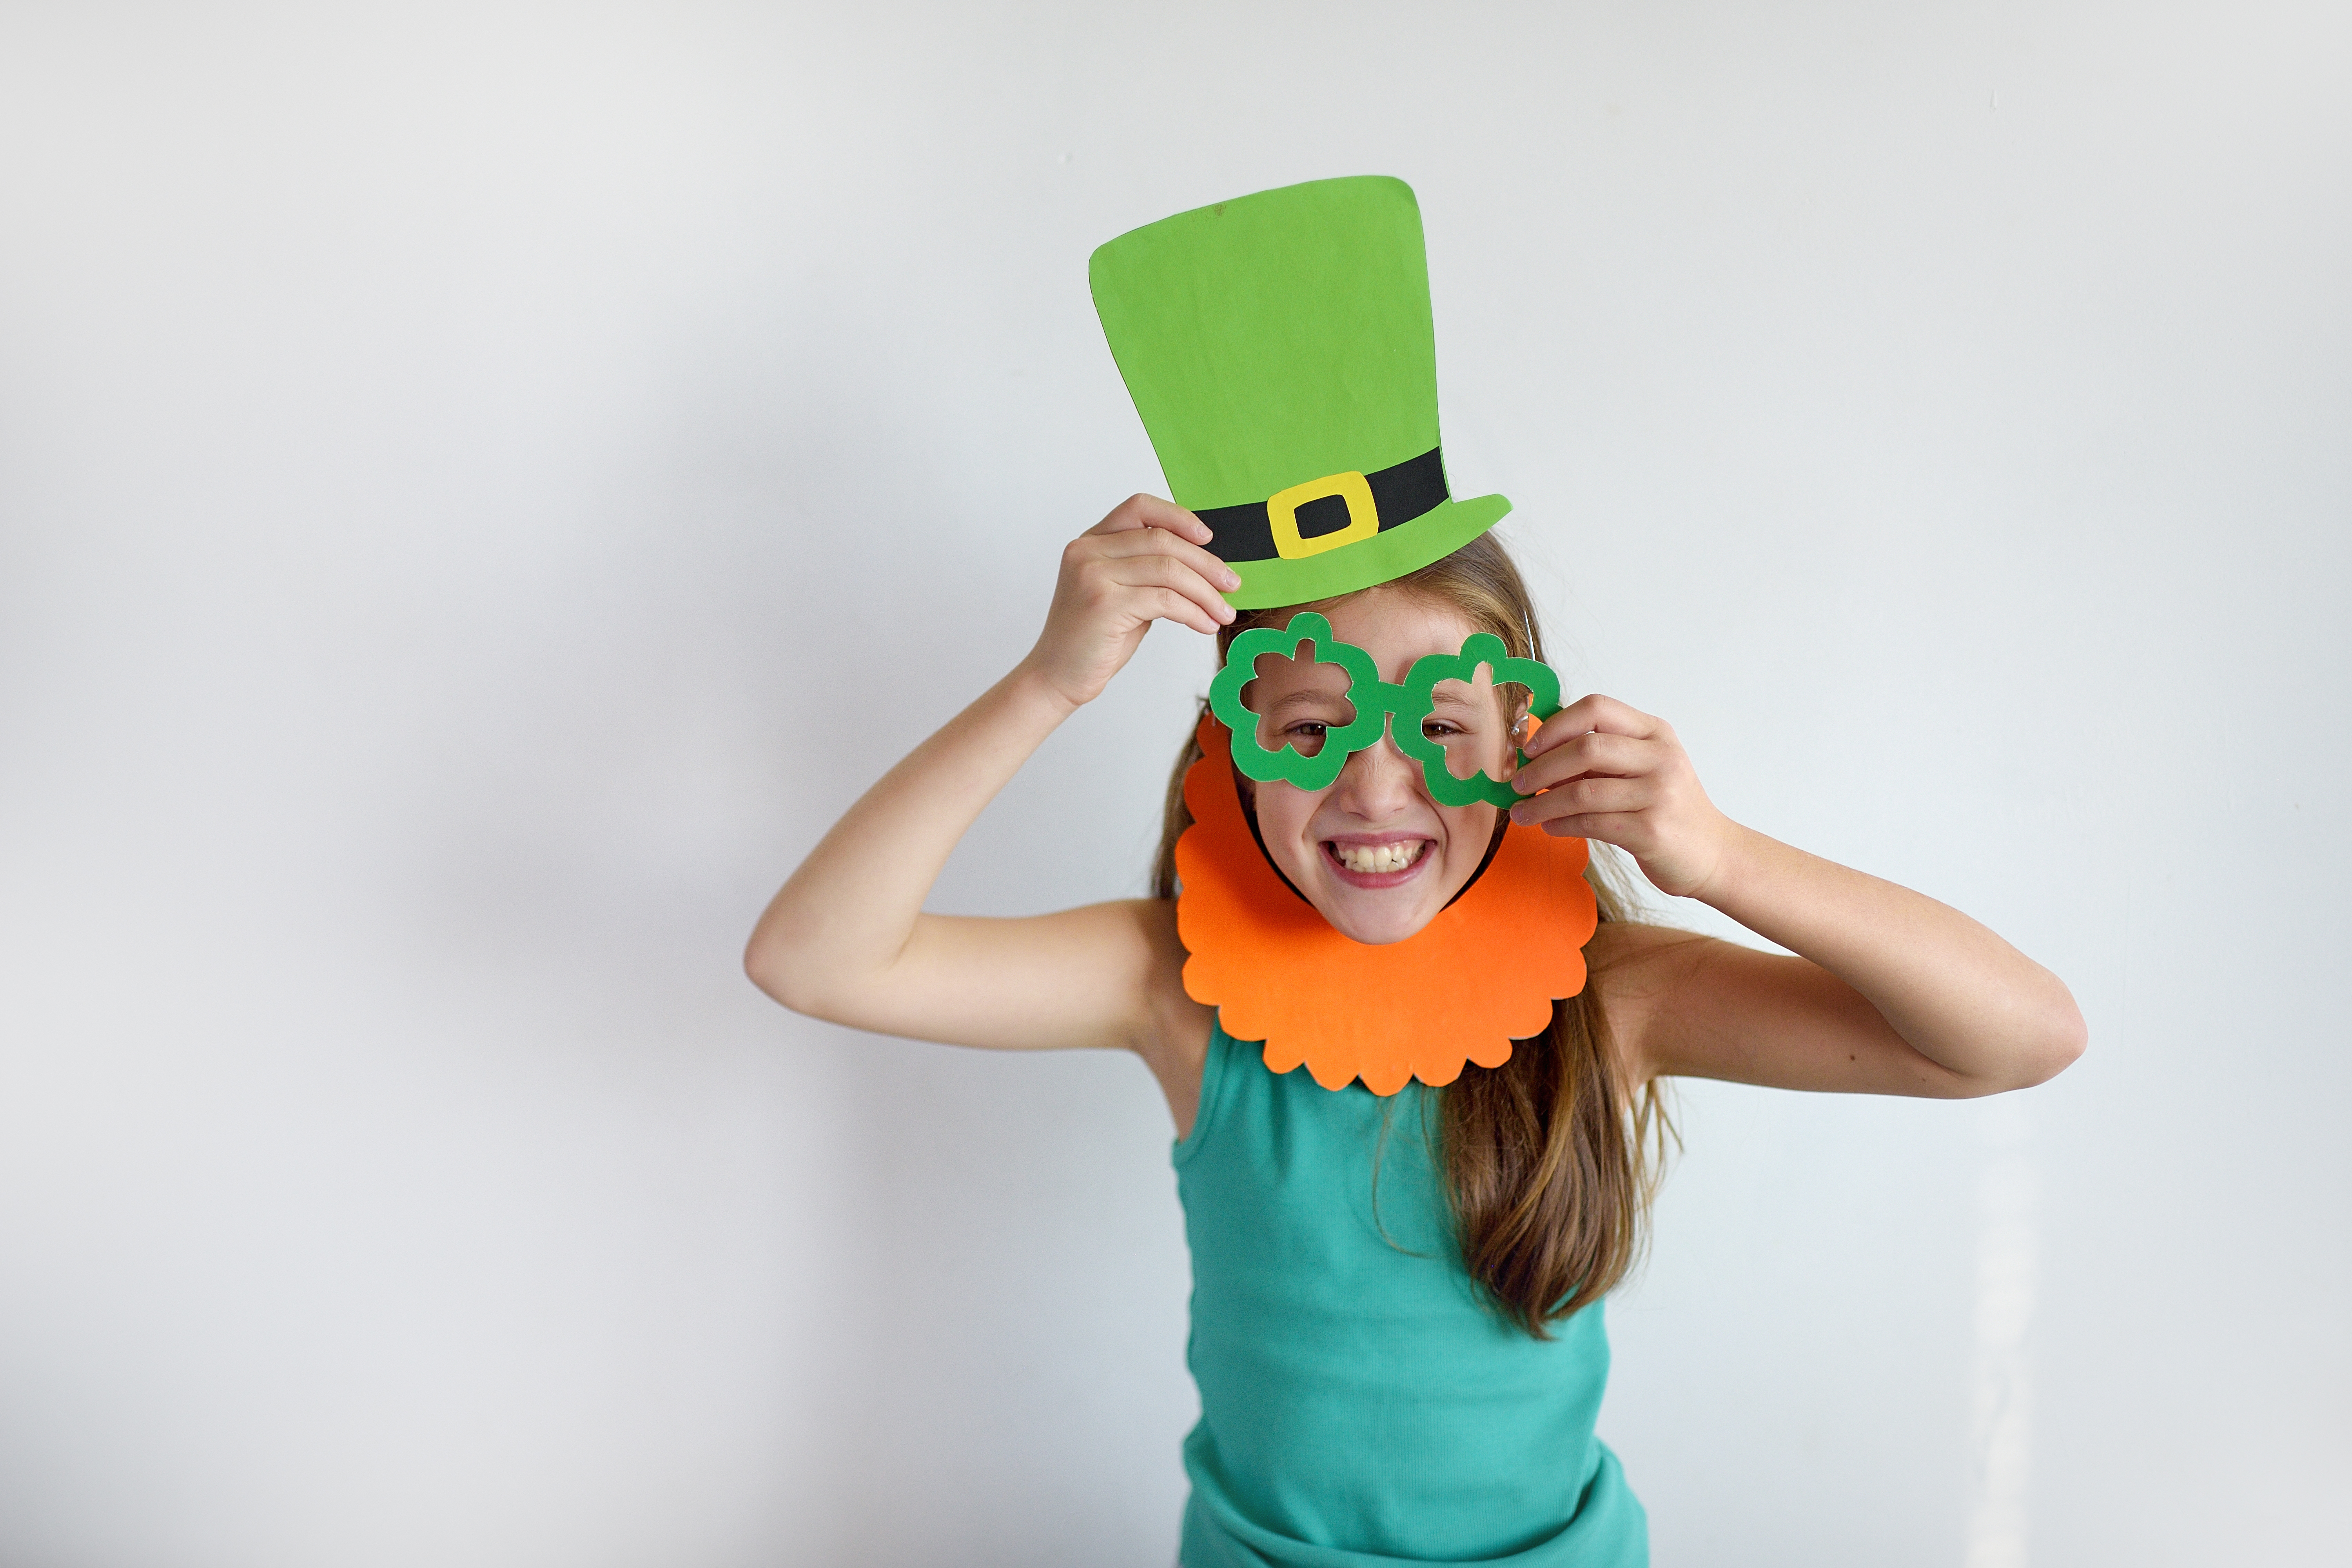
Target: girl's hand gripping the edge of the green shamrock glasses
(1622,777)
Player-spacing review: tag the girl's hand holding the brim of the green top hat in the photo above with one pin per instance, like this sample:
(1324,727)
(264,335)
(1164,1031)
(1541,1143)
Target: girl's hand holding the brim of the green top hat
(1140,565)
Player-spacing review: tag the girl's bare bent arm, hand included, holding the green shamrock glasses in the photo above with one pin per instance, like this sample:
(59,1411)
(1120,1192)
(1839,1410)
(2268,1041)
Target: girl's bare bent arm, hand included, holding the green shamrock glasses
(1892,993)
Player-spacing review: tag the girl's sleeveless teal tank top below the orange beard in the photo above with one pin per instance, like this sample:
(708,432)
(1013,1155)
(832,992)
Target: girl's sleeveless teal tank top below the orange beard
(1358,1405)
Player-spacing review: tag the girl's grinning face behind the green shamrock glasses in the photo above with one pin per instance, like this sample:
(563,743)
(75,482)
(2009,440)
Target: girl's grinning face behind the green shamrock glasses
(1375,855)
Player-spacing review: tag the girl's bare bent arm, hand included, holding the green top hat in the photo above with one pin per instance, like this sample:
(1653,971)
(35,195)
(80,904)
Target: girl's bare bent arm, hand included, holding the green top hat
(848,937)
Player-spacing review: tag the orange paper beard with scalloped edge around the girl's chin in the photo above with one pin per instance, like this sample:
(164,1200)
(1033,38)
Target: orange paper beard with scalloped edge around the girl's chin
(1459,991)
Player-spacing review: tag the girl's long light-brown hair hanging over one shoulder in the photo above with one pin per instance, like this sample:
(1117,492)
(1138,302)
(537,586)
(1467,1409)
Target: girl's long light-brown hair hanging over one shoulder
(1551,1160)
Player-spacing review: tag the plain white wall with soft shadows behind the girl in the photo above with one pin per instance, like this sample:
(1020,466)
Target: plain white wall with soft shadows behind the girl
(483,488)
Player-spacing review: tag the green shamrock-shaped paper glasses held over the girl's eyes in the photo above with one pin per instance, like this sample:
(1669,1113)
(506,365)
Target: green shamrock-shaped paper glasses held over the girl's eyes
(1314,763)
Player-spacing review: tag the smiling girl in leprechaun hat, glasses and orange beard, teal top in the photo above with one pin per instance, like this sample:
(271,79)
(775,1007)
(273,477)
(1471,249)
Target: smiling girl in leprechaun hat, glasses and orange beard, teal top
(1401,1252)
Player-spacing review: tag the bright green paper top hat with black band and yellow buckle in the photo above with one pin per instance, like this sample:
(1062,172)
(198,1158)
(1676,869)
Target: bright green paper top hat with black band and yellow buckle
(1281,354)
